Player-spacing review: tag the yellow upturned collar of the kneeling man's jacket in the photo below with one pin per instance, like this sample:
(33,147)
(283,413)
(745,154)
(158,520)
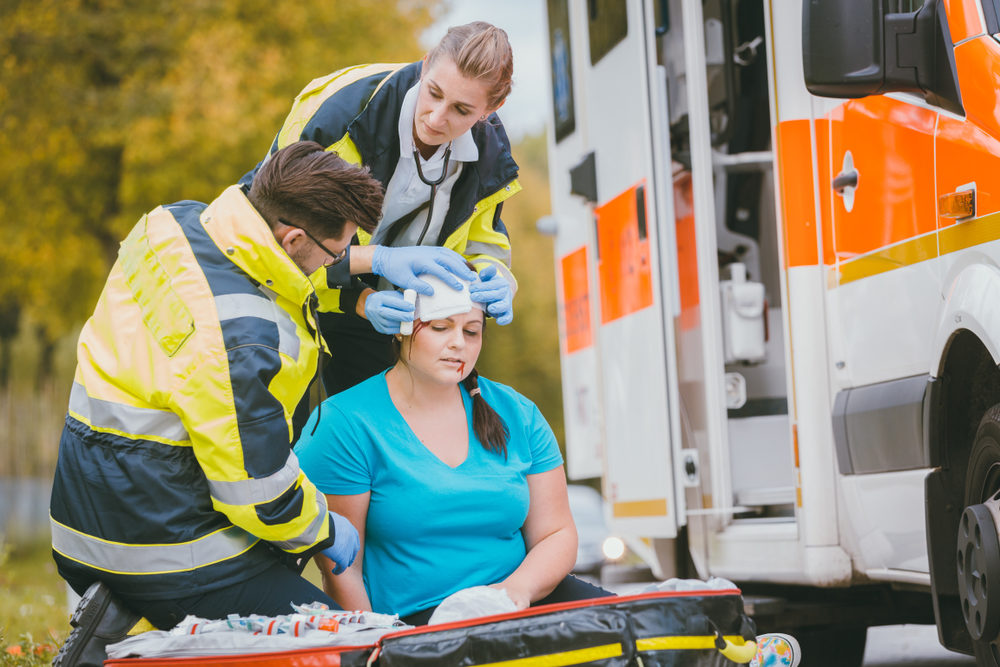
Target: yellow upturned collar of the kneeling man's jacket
(245,238)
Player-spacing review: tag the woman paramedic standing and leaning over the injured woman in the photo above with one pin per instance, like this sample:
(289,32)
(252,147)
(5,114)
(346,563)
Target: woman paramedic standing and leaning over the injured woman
(428,132)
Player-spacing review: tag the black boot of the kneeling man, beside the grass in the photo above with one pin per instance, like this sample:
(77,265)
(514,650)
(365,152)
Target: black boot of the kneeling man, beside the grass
(100,619)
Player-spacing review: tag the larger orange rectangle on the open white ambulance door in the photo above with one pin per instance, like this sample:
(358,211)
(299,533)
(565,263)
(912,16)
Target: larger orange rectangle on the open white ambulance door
(623,255)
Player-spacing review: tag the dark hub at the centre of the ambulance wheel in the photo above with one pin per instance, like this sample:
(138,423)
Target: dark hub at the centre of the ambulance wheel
(979,572)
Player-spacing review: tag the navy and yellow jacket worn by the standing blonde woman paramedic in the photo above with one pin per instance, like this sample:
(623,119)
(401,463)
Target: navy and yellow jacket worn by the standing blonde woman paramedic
(355,112)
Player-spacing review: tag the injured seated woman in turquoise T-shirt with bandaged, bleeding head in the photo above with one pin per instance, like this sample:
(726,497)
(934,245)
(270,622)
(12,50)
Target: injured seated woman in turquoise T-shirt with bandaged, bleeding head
(452,480)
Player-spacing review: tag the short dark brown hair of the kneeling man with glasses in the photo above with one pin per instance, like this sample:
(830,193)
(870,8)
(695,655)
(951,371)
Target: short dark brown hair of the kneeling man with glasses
(316,189)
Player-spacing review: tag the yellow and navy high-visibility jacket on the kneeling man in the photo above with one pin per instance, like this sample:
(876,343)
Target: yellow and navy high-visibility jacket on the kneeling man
(175,471)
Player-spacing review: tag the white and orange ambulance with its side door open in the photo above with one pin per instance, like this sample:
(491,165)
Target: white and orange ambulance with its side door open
(776,232)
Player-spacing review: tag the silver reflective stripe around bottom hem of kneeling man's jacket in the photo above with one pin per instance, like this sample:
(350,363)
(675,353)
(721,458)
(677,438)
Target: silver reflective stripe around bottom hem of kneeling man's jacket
(149,558)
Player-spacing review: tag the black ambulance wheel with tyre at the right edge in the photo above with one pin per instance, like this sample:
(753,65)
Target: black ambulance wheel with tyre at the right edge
(978,546)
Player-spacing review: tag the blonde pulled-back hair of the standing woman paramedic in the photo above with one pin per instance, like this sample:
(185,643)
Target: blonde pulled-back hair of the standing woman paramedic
(480,51)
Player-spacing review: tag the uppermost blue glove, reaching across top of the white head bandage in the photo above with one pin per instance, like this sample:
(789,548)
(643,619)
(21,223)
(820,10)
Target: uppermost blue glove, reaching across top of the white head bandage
(401,266)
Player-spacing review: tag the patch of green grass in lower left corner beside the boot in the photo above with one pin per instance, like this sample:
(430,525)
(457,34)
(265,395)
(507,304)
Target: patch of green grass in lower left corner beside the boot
(33,616)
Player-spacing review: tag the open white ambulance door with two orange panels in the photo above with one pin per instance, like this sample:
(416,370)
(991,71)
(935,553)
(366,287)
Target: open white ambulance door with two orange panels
(615,261)
